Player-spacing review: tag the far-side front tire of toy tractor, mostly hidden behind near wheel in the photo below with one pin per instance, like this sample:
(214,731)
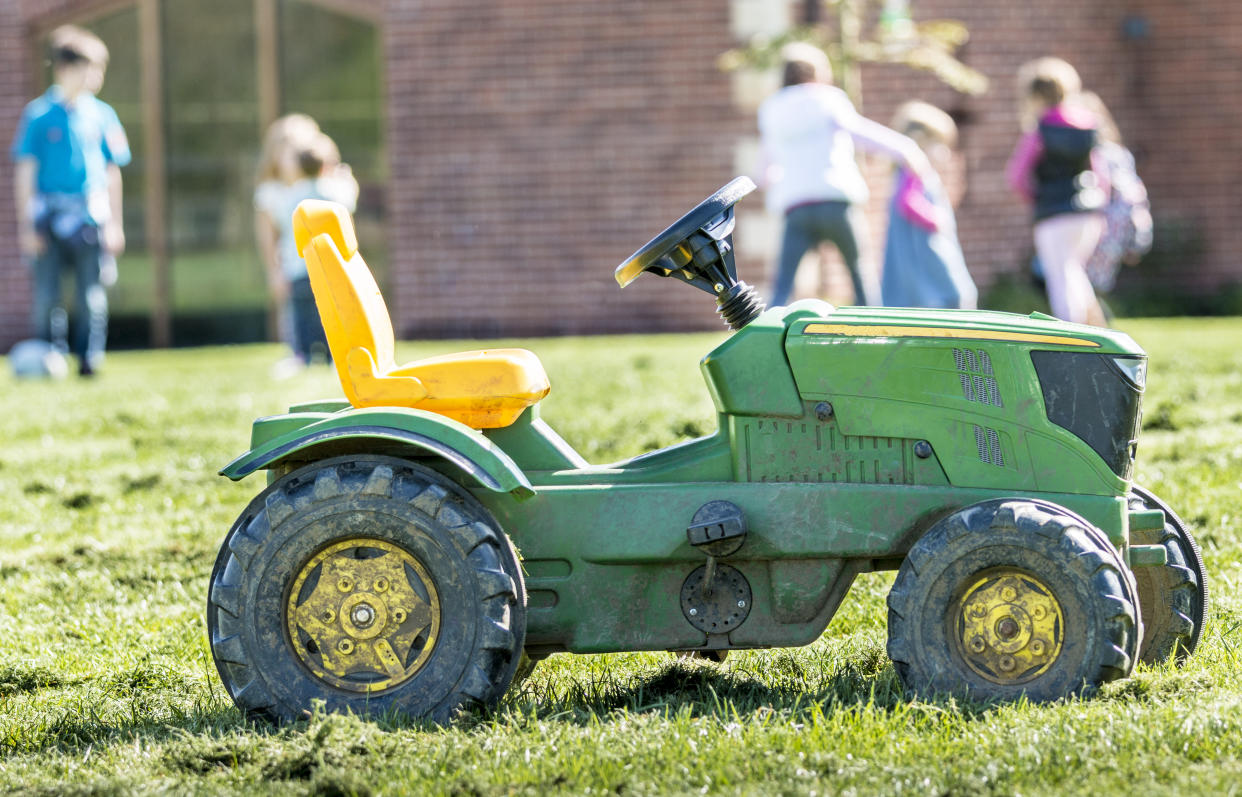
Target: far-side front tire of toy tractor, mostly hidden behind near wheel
(1173,599)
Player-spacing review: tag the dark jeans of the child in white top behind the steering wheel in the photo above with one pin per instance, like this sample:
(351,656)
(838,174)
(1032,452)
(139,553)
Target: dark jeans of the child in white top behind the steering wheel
(812,225)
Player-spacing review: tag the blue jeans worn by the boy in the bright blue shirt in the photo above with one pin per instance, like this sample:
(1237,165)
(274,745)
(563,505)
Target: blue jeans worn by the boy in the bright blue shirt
(78,256)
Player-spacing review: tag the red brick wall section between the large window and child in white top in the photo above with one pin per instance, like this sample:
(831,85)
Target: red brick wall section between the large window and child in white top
(535,146)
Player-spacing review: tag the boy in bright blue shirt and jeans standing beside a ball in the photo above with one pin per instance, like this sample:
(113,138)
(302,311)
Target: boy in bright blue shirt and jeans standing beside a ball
(69,152)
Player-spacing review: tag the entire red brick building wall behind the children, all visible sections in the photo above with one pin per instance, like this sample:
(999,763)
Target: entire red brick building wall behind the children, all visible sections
(536,143)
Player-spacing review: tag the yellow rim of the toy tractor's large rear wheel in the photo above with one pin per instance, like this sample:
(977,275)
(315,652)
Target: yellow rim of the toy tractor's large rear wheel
(363,615)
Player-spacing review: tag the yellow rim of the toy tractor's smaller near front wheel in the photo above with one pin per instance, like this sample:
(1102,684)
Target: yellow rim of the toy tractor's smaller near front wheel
(1010,628)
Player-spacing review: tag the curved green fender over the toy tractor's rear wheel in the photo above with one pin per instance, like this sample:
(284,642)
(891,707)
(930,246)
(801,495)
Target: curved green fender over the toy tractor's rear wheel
(388,430)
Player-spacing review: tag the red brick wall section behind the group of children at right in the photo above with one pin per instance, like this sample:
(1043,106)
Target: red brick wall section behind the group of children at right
(1172,75)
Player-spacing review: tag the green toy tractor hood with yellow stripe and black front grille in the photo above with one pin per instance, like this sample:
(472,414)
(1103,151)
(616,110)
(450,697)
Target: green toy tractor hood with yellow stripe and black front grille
(999,397)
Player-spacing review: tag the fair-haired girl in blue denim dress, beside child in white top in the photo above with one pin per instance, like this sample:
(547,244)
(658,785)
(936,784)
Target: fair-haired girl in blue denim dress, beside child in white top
(923,260)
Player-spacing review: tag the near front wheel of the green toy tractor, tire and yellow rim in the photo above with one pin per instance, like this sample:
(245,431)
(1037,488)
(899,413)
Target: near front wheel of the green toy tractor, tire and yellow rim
(1008,599)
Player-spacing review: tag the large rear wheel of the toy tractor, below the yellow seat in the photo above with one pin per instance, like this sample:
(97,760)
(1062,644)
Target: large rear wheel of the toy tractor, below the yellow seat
(371,584)
